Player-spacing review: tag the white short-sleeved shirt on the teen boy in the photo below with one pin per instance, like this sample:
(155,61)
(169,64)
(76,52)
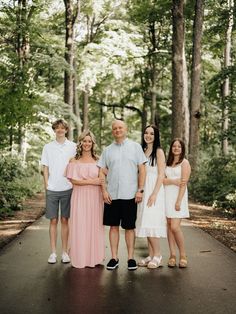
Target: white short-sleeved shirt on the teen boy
(56,157)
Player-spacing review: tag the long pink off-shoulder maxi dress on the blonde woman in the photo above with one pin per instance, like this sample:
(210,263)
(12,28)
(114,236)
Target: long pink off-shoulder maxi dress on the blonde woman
(86,230)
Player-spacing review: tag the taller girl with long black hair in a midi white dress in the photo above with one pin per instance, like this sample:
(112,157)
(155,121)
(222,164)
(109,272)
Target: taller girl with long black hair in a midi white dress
(151,219)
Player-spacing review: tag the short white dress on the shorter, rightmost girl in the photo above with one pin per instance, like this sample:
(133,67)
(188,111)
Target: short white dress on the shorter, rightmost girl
(171,194)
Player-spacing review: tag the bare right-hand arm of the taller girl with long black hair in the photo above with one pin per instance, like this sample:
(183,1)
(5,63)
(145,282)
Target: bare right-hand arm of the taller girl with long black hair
(161,174)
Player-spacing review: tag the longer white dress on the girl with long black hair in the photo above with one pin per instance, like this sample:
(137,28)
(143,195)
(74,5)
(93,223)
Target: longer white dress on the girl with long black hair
(151,221)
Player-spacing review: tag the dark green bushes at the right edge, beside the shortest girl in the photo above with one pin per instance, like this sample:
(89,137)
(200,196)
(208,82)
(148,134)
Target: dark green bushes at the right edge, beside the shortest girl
(215,183)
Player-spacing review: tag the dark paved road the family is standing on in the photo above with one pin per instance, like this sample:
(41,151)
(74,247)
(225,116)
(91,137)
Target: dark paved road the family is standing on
(29,285)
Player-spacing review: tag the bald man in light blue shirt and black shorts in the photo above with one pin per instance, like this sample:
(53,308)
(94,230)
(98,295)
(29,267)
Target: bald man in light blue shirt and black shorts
(125,162)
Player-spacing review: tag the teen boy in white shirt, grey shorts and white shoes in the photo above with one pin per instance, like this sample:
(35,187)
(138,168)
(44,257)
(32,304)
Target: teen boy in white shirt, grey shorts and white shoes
(55,157)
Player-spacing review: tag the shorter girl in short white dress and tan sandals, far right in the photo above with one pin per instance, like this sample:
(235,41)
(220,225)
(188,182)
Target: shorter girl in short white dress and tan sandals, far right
(176,199)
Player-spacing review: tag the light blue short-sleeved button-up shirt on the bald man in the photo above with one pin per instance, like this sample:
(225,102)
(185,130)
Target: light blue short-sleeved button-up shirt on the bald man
(122,161)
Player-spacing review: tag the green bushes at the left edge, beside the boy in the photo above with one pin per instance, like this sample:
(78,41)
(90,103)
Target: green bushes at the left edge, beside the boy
(16,183)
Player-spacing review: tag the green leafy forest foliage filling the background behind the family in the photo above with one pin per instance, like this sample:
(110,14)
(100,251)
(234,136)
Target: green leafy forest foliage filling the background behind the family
(118,44)
